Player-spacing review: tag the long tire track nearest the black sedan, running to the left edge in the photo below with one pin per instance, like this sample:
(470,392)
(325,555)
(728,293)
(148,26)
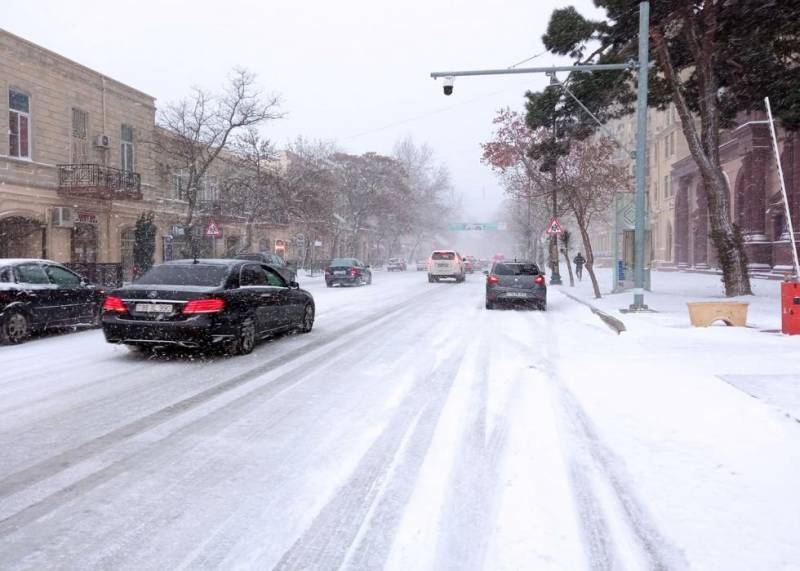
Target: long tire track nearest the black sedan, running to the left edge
(53,465)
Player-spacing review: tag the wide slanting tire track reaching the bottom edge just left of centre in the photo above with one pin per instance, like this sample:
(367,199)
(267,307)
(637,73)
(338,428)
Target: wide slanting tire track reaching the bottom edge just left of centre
(330,538)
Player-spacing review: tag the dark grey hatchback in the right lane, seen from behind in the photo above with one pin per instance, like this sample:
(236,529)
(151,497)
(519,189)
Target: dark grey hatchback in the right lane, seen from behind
(517,282)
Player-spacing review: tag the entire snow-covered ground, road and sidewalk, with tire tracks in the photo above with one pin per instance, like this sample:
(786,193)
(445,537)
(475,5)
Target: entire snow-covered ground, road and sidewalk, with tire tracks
(411,430)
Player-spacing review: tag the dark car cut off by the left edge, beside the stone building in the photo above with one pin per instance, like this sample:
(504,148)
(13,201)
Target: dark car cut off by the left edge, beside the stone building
(41,294)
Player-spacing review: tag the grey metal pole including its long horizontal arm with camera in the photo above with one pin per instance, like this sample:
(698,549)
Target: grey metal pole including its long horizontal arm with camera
(642,66)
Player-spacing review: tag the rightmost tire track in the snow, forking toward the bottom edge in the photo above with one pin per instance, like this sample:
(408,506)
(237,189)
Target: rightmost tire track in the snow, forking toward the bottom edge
(587,455)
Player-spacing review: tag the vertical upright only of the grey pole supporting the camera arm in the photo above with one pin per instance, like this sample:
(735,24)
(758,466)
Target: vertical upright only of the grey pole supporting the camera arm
(641,157)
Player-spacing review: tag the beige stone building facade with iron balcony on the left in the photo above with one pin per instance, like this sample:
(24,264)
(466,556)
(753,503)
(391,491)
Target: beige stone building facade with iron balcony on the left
(76,169)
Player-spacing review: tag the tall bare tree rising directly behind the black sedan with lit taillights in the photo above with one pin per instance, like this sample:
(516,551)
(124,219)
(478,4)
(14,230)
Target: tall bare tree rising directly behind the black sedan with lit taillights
(194,131)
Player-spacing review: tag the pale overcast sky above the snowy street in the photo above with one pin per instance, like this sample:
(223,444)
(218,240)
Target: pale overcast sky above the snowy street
(355,71)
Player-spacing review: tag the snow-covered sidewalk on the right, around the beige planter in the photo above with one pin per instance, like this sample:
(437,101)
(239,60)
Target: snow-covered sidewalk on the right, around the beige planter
(757,359)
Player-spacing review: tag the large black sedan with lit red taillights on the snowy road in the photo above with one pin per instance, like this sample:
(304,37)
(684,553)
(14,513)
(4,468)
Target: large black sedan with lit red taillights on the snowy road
(226,304)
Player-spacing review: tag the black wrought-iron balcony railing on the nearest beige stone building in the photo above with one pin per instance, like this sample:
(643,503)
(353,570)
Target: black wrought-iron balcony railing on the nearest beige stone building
(98,181)
